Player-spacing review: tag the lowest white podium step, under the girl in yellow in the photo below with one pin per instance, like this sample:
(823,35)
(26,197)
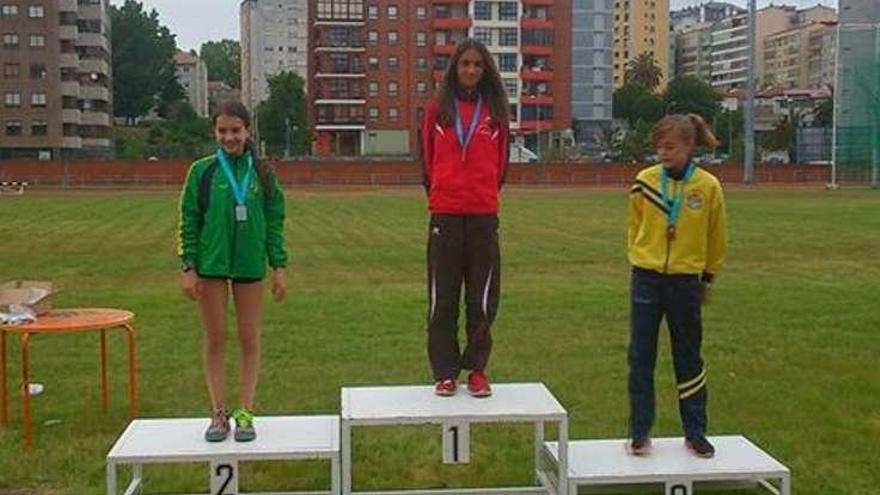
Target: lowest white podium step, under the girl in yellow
(606,462)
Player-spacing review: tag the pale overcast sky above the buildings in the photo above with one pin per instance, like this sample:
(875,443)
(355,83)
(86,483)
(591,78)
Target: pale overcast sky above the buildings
(197,21)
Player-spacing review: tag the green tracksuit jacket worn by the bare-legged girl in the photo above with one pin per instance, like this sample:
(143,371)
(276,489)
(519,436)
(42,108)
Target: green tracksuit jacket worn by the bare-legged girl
(210,238)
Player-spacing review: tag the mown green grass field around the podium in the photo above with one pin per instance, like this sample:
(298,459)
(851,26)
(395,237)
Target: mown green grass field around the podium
(791,338)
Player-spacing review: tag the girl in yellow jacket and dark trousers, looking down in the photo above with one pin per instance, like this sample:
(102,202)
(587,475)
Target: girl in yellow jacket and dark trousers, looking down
(676,244)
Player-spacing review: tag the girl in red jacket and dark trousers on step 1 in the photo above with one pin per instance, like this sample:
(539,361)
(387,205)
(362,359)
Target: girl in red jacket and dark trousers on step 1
(465,138)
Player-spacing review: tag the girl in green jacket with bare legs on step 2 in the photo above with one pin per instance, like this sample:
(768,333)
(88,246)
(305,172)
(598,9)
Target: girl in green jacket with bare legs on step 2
(231,225)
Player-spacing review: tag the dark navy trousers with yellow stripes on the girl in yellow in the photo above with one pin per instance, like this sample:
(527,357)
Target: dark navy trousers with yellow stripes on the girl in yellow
(677,297)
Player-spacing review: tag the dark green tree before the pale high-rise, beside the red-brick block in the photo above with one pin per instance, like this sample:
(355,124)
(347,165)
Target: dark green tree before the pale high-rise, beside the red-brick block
(282,117)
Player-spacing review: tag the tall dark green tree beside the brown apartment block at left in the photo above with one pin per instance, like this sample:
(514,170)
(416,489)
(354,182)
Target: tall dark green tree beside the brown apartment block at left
(143,59)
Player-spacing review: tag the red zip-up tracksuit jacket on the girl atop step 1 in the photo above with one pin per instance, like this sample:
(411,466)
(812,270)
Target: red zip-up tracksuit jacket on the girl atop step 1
(464,183)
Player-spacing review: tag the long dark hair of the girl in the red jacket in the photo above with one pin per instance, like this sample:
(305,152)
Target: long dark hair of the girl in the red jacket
(490,86)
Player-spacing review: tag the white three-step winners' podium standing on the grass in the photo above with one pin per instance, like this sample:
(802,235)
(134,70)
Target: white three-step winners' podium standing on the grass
(562,467)
